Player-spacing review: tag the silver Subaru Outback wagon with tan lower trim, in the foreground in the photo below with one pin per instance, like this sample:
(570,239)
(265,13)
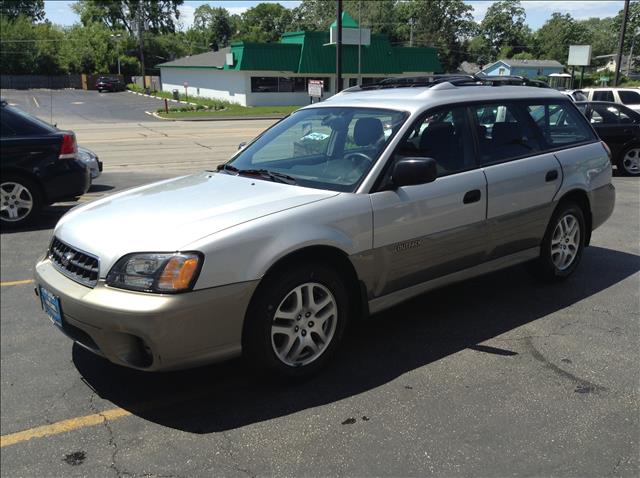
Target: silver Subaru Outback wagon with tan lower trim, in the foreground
(341,210)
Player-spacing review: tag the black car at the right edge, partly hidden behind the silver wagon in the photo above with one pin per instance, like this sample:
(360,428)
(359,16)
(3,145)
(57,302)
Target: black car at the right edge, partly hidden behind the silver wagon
(619,127)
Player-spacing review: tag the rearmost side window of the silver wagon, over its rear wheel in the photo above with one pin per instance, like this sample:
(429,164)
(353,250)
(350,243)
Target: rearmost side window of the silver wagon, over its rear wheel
(560,124)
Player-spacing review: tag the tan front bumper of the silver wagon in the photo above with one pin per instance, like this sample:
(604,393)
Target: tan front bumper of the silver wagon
(151,331)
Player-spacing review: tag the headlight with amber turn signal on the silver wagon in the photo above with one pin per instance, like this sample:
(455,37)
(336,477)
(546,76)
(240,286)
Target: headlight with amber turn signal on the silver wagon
(156,272)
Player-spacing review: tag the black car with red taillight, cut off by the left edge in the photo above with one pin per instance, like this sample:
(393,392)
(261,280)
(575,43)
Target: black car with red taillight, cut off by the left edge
(39,166)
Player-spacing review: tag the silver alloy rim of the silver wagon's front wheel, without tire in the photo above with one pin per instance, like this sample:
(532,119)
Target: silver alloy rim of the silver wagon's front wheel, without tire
(304,324)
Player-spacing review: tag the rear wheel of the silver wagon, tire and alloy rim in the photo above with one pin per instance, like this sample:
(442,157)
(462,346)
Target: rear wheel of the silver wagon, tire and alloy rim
(562,245)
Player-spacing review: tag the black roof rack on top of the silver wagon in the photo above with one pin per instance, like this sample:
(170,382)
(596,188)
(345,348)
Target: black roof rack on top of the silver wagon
(453,79)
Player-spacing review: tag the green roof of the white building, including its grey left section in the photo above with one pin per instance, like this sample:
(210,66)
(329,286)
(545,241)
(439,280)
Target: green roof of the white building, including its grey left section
(310,53)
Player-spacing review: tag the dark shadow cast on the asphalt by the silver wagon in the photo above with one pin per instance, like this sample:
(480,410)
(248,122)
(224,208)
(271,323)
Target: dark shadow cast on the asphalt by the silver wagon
(402,339)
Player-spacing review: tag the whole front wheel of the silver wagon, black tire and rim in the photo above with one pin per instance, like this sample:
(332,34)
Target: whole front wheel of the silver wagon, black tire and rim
(296,321)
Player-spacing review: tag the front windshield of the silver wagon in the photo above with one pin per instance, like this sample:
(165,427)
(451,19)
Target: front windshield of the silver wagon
(328,148)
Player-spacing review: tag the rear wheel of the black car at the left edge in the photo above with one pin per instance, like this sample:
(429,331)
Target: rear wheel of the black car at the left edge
(20,201)
